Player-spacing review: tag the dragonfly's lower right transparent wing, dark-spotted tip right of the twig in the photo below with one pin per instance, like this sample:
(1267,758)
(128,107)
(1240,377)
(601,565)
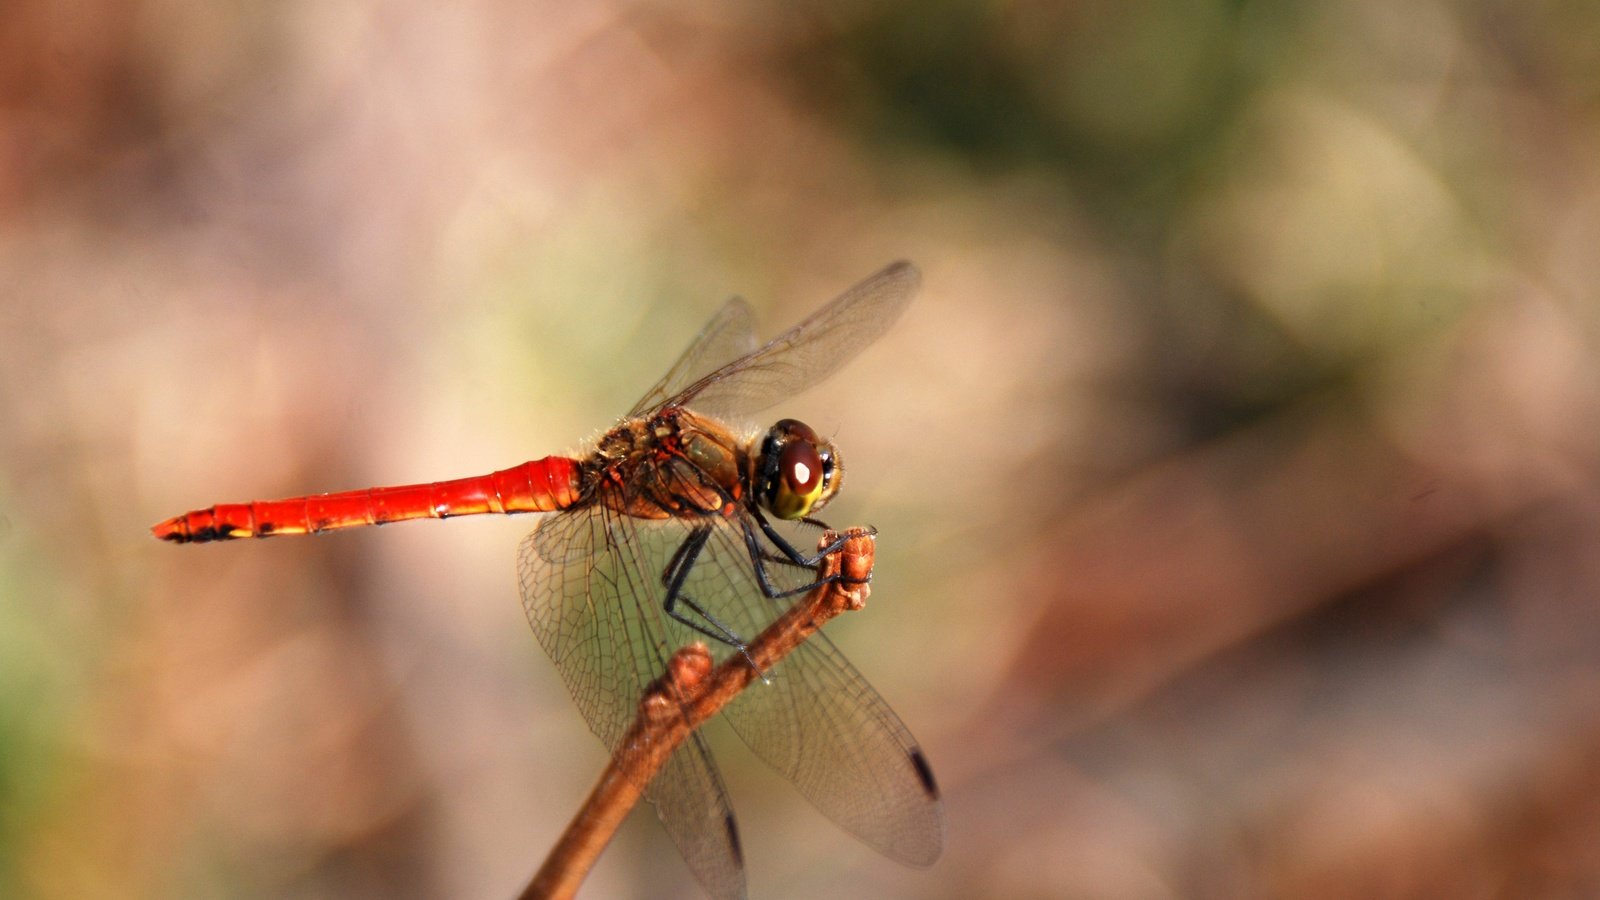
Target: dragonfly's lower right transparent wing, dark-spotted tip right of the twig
(820,723)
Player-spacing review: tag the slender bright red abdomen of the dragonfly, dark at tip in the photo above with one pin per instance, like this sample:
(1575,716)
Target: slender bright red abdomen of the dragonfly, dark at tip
(542,486)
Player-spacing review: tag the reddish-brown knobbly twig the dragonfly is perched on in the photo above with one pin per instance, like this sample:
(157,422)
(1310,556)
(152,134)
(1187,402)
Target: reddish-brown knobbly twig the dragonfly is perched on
(686,697)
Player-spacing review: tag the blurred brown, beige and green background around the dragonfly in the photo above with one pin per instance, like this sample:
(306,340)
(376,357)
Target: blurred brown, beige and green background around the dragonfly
(1238,470)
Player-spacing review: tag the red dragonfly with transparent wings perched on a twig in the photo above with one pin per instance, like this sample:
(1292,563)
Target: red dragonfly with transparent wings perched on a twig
(681,524)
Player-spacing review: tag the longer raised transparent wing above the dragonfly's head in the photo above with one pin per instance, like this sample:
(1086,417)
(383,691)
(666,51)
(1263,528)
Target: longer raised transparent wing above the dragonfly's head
(799,358)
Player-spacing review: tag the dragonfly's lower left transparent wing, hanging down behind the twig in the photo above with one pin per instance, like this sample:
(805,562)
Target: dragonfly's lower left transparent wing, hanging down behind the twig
(591,585)
